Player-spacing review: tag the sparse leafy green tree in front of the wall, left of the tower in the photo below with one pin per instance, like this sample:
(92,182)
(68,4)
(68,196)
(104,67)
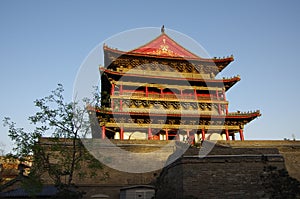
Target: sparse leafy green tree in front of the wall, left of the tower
(62,155)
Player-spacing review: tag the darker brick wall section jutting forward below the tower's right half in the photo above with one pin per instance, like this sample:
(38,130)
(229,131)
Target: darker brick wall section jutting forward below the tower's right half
(224,173)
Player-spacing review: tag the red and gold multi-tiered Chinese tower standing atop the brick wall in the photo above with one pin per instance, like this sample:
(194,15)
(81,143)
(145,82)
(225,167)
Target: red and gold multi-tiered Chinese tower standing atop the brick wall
(138,68)
